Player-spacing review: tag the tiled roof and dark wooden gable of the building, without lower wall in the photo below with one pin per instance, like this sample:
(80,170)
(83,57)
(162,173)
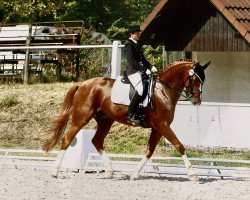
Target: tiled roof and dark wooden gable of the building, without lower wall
(199,25)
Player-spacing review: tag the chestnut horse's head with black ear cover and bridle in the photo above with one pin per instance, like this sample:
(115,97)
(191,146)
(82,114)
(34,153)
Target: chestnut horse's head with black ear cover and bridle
(194,80)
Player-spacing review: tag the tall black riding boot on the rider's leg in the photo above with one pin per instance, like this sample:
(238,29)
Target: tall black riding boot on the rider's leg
(132,109)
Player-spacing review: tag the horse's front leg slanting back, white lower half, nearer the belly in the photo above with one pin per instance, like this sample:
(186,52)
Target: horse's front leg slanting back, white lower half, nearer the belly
(152,142)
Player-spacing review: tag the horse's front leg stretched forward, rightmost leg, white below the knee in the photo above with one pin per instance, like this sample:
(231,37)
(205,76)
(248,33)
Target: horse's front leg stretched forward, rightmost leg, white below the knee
(168,133)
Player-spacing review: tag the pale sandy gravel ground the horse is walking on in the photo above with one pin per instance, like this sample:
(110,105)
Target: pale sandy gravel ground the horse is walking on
(31,184)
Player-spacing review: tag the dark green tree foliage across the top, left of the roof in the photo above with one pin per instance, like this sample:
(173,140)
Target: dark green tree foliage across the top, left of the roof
(109,17)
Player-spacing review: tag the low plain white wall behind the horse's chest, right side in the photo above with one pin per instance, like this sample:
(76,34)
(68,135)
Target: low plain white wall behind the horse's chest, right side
(213,125)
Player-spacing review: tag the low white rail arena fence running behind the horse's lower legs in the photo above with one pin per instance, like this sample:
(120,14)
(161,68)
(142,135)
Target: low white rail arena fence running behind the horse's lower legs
(205,167)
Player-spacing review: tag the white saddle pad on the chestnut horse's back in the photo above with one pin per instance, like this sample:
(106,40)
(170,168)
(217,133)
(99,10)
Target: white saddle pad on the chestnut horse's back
(120,93)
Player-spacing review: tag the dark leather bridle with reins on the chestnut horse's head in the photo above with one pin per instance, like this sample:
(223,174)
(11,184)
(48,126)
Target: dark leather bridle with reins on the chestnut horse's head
(188,91)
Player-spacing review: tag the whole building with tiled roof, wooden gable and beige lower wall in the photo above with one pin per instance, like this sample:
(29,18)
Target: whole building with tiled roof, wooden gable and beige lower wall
(216,30)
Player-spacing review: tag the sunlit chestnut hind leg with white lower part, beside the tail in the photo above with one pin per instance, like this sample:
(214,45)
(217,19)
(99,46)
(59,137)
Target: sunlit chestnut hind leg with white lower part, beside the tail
(79,119)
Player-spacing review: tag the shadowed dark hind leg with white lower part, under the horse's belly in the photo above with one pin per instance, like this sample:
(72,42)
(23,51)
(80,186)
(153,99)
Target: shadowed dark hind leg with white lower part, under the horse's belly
(104,124)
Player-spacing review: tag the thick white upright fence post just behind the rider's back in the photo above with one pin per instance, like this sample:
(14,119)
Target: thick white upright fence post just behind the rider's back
(116,59)
